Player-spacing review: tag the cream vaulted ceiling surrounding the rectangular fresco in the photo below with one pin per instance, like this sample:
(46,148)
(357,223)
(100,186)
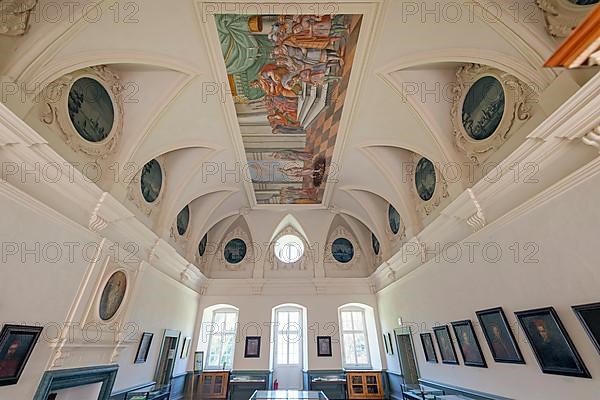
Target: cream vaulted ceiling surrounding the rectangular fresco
(177,107)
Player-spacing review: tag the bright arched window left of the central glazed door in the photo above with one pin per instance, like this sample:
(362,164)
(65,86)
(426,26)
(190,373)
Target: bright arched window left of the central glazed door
(219,328)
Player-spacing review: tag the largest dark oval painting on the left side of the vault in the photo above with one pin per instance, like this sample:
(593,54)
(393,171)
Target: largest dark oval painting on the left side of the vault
(91,110)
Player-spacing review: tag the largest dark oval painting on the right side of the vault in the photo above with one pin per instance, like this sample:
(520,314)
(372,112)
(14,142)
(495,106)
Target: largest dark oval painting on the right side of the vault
(483,108)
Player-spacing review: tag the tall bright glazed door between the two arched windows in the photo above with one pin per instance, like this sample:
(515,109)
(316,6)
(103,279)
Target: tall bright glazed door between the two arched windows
(288,354)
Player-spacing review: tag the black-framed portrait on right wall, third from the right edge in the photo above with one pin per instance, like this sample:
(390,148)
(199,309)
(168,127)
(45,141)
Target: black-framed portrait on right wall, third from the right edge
(499,336)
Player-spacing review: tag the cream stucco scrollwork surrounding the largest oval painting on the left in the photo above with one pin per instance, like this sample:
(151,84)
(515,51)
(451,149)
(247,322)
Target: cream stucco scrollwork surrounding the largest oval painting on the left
(54,111)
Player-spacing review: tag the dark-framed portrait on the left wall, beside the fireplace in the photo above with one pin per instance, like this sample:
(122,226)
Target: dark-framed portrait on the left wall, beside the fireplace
(16,345)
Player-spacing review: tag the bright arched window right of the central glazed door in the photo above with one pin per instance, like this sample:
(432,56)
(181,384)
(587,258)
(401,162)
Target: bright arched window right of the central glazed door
(355,342)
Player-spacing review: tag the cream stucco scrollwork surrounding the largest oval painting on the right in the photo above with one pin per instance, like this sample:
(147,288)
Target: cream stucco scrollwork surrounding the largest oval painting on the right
(517,106)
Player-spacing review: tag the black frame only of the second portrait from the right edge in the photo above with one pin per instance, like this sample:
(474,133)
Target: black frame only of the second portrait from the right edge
(582,372)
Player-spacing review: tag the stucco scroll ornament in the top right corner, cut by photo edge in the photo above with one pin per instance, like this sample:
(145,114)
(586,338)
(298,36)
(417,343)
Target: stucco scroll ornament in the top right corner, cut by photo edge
(562,16)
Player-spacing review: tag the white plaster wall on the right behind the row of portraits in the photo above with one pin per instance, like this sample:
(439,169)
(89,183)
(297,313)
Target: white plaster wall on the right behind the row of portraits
(566,273)
